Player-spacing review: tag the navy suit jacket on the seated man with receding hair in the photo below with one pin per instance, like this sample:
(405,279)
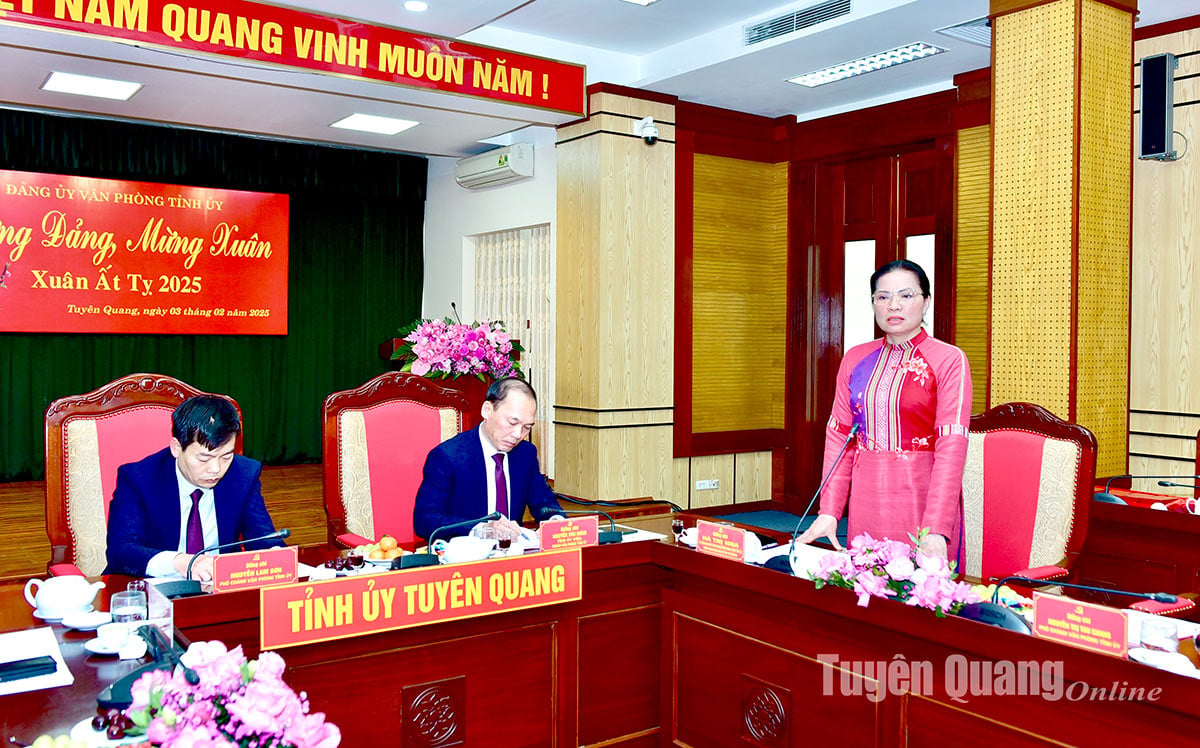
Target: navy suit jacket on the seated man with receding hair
(454,489)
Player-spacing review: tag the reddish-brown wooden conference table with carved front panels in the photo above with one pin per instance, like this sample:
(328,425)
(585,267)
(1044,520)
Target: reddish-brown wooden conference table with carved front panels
(669,647)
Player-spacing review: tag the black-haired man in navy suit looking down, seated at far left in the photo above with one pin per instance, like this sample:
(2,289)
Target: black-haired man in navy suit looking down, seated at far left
(193,495)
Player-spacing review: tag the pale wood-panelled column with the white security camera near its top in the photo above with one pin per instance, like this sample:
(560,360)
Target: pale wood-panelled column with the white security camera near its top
(616,271)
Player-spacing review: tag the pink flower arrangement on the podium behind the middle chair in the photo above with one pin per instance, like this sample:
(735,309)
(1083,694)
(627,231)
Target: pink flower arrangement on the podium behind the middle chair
(441,349)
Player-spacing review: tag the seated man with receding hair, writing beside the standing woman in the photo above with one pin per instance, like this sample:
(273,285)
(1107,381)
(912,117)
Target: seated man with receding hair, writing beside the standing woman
(489,469)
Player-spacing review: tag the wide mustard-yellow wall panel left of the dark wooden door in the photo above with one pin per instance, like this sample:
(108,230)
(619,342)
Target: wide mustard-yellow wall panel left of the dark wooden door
(740,295)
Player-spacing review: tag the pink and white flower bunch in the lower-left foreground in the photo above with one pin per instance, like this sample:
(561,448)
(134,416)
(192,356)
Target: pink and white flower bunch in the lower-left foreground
(233,703)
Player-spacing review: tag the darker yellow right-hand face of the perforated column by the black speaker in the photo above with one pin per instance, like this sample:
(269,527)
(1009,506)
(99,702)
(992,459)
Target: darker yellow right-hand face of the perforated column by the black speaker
(1102,291)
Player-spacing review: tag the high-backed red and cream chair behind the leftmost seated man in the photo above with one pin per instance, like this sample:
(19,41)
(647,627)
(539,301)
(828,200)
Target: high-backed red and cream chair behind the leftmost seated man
(87,439)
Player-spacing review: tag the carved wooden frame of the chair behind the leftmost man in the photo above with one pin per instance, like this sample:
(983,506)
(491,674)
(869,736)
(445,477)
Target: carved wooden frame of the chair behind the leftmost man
(129,392)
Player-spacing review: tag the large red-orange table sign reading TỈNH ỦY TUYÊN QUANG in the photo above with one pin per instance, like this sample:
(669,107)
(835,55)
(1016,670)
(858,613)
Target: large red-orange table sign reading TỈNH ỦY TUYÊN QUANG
(308,613)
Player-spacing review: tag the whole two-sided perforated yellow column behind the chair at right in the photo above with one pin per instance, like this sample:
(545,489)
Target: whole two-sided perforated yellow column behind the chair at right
(1061,213)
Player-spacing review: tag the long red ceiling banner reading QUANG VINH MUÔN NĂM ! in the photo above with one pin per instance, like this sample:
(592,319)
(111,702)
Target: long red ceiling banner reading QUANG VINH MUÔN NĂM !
(297,39)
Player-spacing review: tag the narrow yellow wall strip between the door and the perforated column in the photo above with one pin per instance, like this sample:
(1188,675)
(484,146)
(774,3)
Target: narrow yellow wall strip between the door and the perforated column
(971,219)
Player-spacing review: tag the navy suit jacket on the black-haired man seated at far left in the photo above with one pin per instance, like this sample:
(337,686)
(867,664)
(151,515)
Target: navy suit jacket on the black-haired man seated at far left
(145,517)
